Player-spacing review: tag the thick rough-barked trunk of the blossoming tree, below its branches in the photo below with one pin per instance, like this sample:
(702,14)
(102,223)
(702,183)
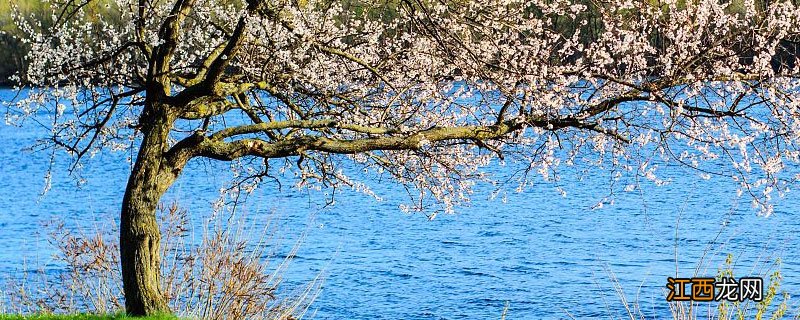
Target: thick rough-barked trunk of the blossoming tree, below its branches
(140,236)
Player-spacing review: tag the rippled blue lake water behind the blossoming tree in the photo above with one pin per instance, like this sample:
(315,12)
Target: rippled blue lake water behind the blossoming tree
(545,255)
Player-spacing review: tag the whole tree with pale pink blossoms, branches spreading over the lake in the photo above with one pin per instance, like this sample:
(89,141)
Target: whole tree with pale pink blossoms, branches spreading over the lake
(427,92)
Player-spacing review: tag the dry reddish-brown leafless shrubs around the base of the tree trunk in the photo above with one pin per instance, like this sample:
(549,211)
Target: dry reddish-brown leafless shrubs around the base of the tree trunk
(226,274)
